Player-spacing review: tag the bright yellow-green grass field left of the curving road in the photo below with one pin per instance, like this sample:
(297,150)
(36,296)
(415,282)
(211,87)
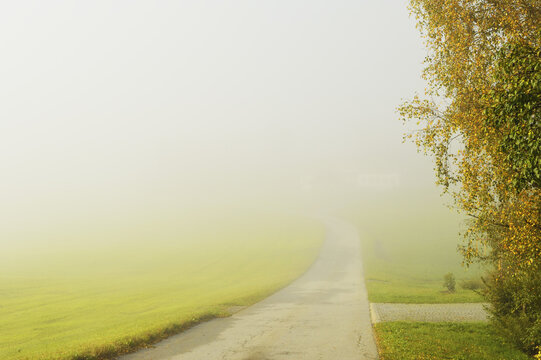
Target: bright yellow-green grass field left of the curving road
(95,295)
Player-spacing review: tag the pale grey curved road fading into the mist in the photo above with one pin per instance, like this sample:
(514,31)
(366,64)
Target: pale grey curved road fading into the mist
(324,314)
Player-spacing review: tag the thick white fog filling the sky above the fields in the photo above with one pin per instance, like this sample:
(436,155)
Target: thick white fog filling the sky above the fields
(113,109)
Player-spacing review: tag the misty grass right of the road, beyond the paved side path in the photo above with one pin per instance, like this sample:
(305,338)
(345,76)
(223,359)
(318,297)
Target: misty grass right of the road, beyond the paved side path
(409,243)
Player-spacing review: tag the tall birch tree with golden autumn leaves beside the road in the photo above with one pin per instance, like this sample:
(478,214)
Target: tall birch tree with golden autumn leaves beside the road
(480,119)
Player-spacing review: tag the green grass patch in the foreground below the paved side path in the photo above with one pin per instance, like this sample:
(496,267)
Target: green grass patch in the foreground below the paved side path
(442,341)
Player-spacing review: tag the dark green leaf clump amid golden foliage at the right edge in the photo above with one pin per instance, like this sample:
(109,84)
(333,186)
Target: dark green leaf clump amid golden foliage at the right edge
(513,108)
